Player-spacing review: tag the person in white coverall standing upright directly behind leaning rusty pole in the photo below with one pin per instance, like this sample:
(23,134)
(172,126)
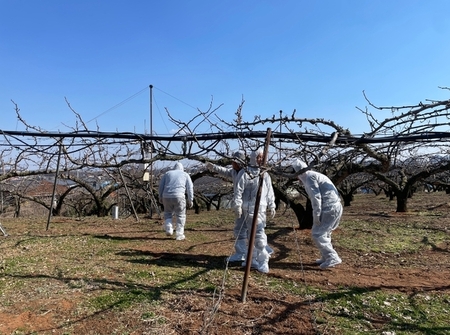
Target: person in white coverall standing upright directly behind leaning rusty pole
(244,201)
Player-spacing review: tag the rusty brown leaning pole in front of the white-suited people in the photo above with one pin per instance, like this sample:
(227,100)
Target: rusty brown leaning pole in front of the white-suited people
(251,242)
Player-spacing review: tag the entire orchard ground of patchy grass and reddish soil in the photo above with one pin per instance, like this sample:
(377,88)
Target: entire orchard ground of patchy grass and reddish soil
(104,276)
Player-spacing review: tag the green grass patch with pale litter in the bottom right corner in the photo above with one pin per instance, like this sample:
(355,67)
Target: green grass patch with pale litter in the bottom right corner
(371,312)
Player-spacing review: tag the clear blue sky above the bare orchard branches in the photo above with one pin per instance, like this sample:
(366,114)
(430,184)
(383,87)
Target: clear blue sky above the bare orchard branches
(313,56)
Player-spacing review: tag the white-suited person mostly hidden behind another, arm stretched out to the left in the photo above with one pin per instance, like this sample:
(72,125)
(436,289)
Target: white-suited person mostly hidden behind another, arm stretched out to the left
(239,230)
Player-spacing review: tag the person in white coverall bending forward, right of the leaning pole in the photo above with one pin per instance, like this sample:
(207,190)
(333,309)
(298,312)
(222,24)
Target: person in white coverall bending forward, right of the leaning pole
(327,212)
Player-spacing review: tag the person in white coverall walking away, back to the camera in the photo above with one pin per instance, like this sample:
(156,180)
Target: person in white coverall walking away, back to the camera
(174,186)
